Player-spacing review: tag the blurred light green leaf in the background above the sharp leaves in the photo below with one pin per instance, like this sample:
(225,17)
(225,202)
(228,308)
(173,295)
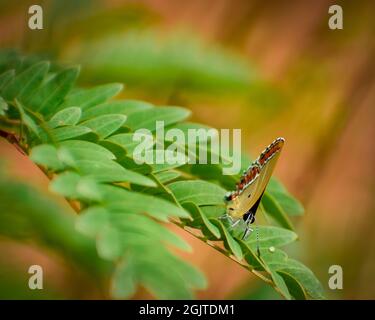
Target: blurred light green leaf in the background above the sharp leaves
(178,61)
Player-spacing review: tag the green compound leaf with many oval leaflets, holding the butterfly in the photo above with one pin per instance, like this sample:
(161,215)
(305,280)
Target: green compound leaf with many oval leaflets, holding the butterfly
(87,144)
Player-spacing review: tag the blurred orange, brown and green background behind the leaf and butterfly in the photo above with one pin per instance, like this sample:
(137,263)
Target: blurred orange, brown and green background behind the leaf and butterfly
(271,68)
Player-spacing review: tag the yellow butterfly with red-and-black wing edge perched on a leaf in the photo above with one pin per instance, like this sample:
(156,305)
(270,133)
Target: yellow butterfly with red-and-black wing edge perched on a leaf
(243,202)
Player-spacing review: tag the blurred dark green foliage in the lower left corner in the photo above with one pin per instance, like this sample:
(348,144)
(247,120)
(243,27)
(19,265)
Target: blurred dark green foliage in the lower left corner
(28,216)
